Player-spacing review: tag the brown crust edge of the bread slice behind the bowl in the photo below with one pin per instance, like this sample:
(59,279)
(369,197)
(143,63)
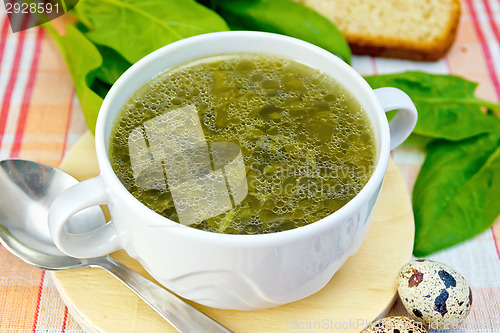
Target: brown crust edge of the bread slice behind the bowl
(394,47)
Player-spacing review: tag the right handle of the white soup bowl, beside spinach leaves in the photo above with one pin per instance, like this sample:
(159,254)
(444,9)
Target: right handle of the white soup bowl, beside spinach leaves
(404,121)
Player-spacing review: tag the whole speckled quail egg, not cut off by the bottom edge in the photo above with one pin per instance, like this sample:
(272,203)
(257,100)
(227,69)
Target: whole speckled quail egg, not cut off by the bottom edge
(434,293)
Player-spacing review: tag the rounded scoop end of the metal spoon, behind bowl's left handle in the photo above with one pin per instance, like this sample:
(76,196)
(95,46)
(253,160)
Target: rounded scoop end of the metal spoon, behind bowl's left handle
(28,189)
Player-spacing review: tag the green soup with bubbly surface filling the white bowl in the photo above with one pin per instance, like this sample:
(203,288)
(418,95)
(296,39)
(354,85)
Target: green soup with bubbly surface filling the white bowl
(243,144)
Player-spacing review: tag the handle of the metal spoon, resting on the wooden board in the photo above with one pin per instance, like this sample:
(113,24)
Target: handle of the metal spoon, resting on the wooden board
(182,316)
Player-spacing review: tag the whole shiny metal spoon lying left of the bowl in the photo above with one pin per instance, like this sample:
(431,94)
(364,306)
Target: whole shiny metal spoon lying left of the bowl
(26,191)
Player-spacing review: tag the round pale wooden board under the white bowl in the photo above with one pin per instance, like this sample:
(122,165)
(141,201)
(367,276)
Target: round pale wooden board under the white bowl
(361,291)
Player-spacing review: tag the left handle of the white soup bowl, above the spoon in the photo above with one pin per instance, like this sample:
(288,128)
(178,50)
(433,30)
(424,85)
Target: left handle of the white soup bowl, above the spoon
(95,243)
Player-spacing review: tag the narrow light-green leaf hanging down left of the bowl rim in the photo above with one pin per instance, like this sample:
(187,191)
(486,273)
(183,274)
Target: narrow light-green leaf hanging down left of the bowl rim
(82,58)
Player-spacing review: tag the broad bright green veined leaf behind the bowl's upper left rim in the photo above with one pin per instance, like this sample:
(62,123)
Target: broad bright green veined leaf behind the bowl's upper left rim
(135,28)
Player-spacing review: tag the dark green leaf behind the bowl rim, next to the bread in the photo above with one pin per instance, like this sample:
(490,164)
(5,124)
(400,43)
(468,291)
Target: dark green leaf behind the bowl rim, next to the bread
(285,17)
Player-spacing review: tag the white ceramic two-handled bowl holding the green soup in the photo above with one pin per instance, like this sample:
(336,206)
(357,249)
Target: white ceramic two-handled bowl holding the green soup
(231,271)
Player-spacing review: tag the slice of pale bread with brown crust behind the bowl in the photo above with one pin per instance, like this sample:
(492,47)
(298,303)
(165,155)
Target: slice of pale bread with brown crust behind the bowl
(410,29)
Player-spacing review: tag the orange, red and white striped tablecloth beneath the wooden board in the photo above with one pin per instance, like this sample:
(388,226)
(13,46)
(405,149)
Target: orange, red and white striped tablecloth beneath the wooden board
(40,118)
